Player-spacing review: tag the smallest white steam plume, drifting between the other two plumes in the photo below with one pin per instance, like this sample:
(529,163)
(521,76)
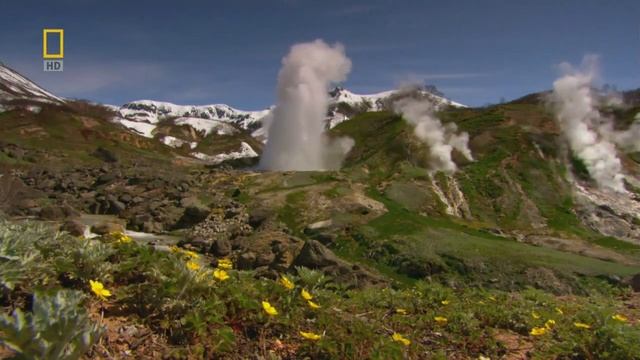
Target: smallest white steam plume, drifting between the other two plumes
(441,139)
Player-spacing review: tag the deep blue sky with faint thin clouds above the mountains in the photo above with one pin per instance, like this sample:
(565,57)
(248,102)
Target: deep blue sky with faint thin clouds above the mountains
(201,52)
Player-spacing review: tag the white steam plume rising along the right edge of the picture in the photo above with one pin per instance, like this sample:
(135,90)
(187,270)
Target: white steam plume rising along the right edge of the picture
(591,135)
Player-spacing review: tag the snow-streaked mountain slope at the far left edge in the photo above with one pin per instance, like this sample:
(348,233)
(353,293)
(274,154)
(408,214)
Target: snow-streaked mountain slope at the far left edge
(15,87)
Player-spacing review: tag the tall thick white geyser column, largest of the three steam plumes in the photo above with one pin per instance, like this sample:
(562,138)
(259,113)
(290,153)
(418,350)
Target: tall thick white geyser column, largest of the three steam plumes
(296,131)
